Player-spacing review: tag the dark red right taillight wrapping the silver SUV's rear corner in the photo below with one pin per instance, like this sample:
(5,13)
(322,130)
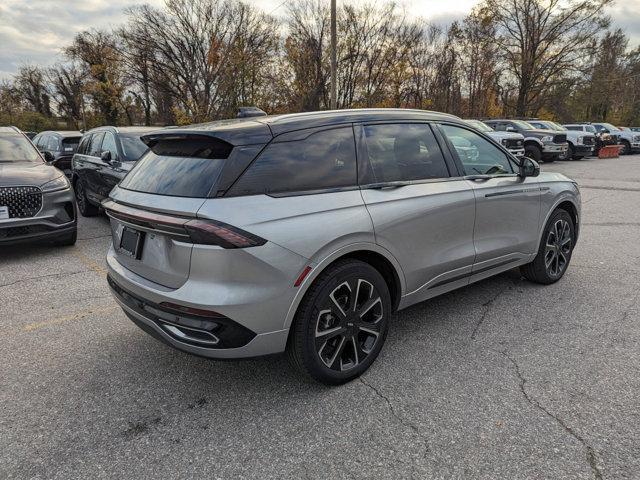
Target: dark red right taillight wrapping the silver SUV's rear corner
(212,232)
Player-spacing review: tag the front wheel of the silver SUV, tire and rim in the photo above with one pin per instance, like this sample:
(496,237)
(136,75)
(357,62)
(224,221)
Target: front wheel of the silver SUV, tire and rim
(558,240)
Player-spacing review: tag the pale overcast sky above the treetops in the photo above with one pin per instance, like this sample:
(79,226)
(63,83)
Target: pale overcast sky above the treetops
(34,31)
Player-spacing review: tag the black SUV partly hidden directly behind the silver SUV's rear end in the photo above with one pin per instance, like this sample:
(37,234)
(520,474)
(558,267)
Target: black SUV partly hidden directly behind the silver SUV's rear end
(104,157)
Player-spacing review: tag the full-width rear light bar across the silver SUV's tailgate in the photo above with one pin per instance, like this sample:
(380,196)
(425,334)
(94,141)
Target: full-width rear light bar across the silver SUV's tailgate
(199,231)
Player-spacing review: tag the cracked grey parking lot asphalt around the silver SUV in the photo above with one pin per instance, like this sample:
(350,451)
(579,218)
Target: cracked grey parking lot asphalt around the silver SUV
(502,379)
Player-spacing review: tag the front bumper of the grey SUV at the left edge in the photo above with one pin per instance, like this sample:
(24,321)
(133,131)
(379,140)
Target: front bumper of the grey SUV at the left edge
(57,219)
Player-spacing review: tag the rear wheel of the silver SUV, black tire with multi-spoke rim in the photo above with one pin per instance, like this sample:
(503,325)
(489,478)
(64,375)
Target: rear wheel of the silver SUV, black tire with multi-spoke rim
(329,346)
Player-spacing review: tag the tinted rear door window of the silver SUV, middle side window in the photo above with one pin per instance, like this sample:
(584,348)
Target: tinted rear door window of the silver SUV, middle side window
(403,152)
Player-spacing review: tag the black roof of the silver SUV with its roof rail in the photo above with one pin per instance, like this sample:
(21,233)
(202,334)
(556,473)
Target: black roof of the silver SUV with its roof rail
(254,130)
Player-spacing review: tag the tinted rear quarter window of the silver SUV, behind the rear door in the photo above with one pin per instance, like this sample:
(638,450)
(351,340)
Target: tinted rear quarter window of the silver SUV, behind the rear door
(324,159)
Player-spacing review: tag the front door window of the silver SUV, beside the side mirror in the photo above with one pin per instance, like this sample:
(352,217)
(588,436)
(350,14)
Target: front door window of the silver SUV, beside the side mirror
(478,156)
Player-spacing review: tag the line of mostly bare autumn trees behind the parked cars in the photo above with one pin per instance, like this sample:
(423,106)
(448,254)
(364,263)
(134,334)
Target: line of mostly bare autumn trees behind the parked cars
(200,60)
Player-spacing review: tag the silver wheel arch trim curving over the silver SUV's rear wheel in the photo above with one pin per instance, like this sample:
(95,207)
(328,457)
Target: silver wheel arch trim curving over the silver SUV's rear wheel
(372,254)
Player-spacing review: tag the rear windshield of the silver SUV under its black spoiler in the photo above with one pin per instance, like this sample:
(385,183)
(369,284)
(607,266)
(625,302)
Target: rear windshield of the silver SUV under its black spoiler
(179,168)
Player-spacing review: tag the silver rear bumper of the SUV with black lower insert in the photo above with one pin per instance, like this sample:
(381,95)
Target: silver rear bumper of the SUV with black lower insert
(258,308)
